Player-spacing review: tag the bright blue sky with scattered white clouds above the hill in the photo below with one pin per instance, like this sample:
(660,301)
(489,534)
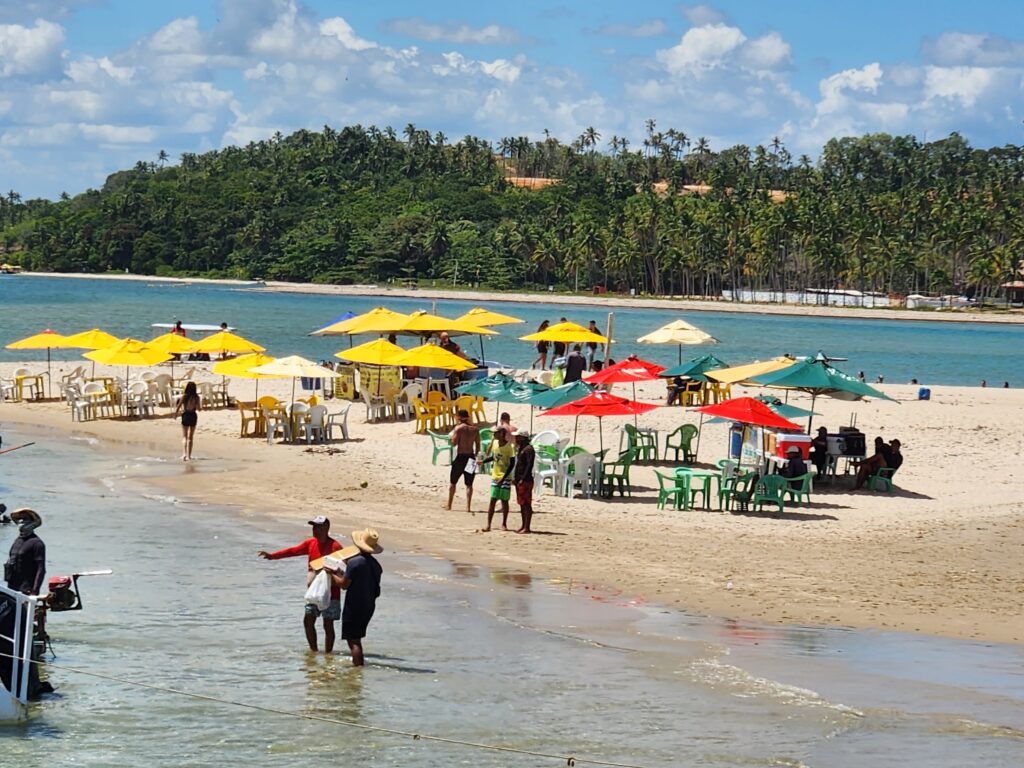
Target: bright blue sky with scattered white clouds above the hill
(89,88)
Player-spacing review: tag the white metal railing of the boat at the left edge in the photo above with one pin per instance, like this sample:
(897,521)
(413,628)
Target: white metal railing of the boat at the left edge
(18,614)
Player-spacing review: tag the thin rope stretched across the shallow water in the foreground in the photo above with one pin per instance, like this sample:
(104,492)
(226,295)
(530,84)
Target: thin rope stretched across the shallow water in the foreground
(569,760)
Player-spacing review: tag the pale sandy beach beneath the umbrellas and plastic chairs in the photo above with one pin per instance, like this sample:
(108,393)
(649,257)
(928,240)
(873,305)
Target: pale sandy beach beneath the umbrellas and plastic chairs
(942,556)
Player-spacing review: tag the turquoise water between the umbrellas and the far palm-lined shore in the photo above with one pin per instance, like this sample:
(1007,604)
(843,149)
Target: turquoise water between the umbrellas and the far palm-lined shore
(932,353)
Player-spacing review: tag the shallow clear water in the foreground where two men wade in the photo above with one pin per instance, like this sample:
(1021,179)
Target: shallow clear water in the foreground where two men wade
(503,658)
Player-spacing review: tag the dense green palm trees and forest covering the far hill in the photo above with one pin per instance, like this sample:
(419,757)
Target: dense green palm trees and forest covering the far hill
(877,214)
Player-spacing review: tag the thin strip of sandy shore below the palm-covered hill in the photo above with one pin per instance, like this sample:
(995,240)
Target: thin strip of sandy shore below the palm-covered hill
(471,295)
